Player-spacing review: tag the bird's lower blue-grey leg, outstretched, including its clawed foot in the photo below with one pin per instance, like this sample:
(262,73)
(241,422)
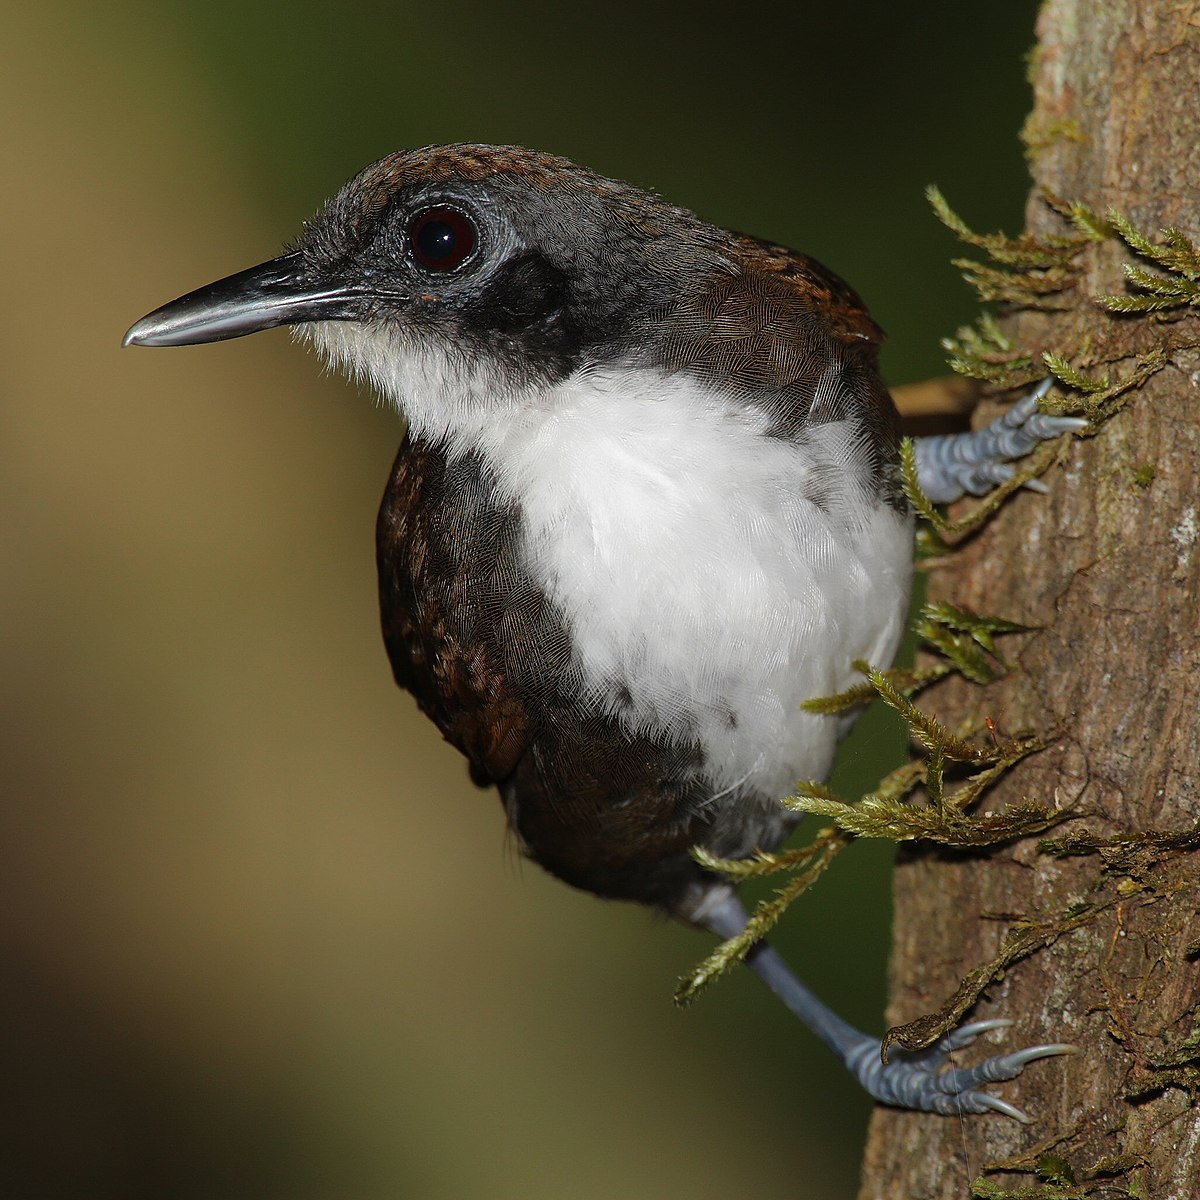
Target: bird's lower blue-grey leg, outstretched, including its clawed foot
(910,1079)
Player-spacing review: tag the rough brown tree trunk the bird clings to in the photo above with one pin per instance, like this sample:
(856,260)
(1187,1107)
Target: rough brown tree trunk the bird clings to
(1108,568)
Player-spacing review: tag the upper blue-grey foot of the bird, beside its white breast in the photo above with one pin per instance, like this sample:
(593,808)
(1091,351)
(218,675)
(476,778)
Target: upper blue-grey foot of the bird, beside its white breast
(951,465)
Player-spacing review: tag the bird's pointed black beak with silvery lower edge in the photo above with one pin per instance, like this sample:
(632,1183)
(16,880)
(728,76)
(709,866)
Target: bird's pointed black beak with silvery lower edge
(275,293)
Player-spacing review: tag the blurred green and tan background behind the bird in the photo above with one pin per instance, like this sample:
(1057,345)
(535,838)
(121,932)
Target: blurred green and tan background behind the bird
(260,935)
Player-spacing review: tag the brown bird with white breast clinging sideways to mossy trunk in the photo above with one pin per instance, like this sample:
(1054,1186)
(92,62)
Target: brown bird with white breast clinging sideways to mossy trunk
(647,503)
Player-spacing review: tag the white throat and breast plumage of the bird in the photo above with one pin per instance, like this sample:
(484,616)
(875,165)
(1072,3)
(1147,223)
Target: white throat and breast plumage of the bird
(705,595)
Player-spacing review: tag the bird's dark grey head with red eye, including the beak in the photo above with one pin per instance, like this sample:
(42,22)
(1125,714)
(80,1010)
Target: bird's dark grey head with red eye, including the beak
(491,261)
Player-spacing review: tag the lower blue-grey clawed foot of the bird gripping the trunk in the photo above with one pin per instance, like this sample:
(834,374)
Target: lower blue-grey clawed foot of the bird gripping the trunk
(915,1079)
